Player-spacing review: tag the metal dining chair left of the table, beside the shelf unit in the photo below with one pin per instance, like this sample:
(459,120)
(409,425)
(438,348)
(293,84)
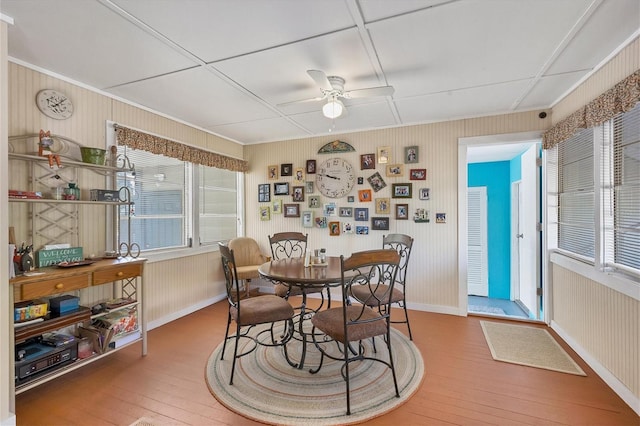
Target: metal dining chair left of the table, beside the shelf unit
(251,312)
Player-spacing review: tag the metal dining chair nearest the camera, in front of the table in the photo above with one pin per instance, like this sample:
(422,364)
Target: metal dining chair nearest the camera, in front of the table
(349,324)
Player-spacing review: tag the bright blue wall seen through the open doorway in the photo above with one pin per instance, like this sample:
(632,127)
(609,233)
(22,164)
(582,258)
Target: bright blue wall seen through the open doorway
(497,177)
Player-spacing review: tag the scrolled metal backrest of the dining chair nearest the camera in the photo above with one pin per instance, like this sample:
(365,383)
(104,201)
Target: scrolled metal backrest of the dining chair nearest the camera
(374,269)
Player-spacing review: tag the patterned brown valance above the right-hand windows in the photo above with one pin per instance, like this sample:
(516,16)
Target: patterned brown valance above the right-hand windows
(620,98)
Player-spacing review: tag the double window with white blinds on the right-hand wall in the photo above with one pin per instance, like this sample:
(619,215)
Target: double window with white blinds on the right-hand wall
(594,195)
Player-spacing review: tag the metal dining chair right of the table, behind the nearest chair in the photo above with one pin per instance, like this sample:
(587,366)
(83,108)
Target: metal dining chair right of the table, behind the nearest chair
(402,244)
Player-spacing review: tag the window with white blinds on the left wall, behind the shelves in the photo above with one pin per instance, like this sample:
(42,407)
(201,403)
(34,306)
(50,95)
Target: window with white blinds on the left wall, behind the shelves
(164,202)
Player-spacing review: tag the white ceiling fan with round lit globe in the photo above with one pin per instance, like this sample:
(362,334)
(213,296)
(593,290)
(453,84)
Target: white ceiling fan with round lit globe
(332,89)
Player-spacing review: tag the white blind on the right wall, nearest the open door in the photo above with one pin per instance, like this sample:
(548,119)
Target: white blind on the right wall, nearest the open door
(576,218)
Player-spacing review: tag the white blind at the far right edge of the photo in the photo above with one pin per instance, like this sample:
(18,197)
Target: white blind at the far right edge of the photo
(626,190)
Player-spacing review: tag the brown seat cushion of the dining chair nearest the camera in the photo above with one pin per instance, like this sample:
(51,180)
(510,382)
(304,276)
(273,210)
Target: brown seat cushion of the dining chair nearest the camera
(331,323)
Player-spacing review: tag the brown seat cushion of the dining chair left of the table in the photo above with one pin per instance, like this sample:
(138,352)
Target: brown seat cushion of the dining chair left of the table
(262,309)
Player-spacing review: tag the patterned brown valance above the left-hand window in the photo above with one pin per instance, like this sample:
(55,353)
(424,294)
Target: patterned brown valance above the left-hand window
(157,145)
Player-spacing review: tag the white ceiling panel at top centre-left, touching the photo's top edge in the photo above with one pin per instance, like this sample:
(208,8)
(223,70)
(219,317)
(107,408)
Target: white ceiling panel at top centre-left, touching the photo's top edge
(221,29)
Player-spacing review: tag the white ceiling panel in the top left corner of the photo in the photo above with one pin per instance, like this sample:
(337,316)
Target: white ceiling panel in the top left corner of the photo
(86,41)
